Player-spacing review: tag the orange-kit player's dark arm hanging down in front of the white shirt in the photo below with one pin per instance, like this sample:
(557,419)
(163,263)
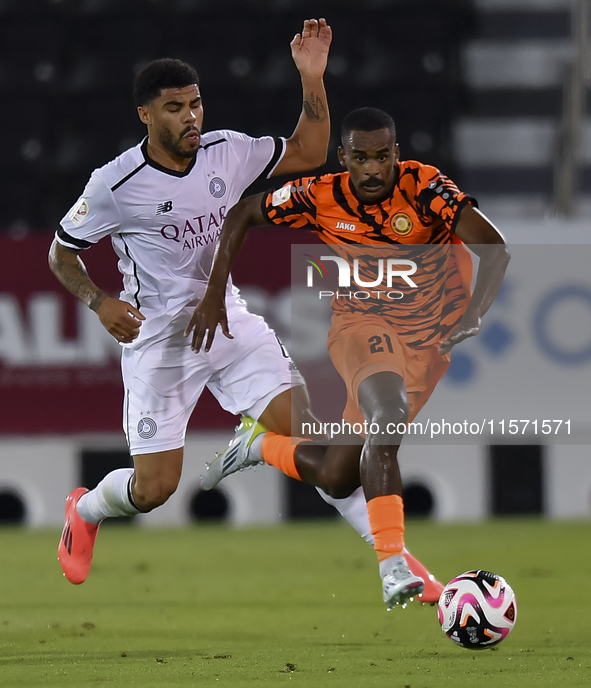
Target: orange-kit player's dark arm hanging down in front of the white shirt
(211,310)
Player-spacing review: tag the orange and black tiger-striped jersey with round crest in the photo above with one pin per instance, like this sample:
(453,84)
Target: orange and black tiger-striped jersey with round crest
(423,208)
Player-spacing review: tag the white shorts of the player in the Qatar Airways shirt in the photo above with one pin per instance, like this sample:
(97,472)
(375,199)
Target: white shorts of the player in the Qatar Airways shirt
(163,381)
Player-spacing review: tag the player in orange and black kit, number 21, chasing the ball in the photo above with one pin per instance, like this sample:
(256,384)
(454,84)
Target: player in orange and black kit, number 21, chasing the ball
(390,355)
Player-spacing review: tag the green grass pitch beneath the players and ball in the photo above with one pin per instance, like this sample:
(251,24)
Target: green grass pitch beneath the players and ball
(288,605)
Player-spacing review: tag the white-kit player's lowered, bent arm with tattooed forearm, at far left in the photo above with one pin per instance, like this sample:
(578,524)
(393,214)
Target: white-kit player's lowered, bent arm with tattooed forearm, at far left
(119,318)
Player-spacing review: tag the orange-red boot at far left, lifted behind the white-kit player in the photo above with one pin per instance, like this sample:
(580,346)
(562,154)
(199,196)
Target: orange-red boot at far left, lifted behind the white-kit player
(77,541)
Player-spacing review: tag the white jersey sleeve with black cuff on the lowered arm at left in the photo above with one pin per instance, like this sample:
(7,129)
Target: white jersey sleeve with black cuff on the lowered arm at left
(94,215)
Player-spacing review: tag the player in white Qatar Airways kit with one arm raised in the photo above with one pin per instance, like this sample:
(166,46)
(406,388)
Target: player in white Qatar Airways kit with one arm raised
(162,203)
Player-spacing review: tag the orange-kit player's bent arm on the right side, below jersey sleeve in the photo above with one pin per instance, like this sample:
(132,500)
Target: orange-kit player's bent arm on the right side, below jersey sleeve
(485,240)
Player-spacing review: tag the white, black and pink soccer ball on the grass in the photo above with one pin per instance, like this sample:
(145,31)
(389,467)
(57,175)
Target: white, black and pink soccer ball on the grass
(477,609)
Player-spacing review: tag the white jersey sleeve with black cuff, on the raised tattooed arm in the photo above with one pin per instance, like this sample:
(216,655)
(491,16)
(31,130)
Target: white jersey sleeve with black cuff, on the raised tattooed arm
(255,157)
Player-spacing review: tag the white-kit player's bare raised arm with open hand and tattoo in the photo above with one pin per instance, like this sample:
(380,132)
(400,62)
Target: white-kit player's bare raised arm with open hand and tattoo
(308,145)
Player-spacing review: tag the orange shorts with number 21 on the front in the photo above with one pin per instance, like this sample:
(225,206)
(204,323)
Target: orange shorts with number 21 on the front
(361,345)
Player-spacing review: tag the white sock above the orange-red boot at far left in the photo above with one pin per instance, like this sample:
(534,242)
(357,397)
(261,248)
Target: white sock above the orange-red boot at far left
(110,498)
